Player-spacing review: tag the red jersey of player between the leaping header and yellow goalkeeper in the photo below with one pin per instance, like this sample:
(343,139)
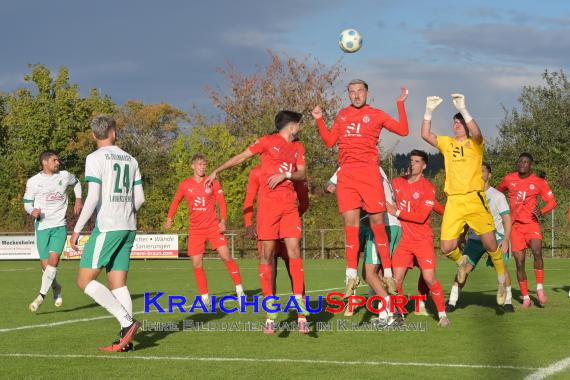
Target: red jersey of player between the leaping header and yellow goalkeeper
(415,201)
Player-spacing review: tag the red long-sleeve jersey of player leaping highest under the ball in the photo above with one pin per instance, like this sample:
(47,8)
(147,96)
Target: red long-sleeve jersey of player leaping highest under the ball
(357,130)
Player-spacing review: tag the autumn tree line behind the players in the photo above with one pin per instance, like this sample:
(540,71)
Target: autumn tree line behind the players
(50,113)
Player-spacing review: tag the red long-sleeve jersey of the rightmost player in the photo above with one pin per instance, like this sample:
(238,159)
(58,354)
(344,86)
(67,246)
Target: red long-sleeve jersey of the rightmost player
(523,196)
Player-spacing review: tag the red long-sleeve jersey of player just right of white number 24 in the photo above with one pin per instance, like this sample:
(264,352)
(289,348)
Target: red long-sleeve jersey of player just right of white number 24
(201,202)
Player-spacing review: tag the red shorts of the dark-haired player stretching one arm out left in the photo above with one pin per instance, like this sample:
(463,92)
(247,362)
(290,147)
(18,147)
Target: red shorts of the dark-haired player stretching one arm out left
(278,218)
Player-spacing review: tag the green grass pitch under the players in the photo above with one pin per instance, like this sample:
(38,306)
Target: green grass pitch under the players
(482,342)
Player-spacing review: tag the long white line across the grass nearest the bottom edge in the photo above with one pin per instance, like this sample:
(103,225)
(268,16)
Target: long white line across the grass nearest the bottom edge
(276,360)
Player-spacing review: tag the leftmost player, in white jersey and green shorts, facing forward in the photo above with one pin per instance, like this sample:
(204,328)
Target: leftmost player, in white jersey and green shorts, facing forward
(46,201)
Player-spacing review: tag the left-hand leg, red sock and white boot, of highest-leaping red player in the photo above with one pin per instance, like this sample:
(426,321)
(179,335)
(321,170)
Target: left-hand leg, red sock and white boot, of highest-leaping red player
(351,223)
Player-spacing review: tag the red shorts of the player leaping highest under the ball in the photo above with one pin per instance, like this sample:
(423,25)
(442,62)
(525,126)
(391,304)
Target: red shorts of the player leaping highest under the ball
(360,187)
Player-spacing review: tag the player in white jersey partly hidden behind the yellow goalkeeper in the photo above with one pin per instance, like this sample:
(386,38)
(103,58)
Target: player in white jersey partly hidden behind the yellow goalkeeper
(475,250)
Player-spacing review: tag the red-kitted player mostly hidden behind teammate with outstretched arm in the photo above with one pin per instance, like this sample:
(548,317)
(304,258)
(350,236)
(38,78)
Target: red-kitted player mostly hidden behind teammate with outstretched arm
(253,185)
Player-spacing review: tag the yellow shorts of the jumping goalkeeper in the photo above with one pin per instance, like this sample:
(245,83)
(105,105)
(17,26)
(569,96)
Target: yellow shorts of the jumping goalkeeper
(472,209)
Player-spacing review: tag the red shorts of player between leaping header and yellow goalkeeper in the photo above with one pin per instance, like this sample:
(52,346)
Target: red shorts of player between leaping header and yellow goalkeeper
(408,254)
